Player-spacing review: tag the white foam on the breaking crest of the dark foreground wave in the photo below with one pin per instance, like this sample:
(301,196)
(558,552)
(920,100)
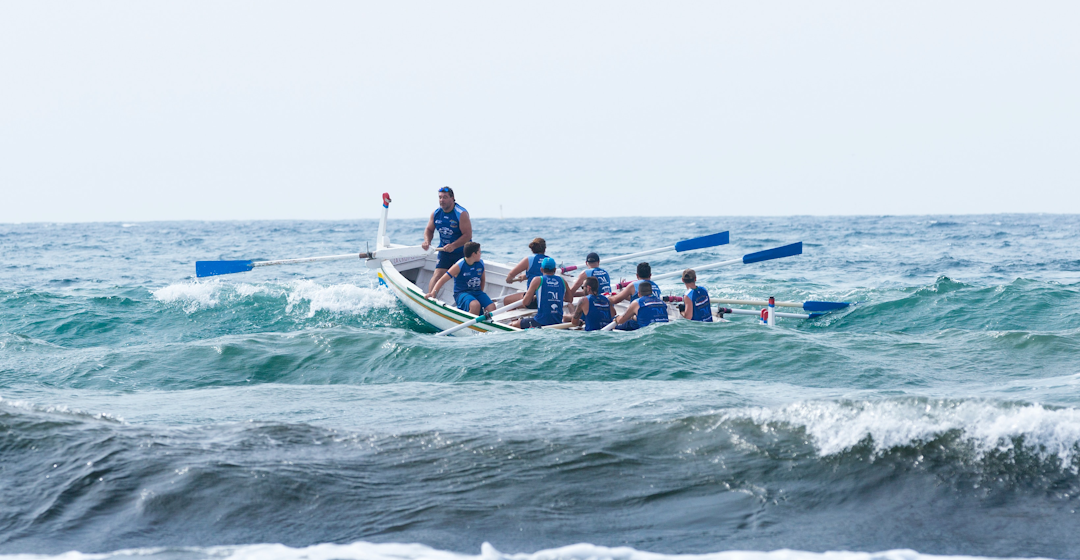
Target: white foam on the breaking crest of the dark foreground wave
(838,427)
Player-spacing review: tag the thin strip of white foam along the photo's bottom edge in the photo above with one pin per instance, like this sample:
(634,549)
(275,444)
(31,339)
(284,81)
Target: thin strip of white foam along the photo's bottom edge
(414,552)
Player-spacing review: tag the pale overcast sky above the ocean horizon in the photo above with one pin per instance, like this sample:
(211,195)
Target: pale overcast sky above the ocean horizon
(309,111)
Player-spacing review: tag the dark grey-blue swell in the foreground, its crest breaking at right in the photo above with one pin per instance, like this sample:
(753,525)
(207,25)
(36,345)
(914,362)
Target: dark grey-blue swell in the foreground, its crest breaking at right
(732,479)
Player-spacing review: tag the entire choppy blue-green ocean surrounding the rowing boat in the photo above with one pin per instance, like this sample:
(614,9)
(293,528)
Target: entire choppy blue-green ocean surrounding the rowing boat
(303,413)
